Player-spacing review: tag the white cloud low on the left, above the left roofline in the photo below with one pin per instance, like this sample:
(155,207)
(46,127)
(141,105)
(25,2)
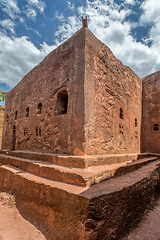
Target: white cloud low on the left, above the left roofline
(18,56)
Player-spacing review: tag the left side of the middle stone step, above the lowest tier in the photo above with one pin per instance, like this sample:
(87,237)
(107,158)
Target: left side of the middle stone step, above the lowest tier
(47,170)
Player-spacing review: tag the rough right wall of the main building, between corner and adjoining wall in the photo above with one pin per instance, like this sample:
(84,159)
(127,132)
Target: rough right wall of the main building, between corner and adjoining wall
(111,86)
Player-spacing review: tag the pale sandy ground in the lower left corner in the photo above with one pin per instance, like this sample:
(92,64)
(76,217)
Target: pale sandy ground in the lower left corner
(12,225)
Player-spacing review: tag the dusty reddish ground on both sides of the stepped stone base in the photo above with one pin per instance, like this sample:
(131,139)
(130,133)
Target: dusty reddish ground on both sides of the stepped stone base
(14,227)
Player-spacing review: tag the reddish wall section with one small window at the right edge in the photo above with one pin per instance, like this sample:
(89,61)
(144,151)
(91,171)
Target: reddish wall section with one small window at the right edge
(151,113)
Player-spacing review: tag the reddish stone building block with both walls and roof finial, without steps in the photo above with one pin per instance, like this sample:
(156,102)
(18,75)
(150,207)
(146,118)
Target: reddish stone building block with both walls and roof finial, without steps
(80,100)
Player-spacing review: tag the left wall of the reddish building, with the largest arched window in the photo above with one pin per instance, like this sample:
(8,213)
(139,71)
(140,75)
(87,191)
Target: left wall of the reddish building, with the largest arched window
(62,69)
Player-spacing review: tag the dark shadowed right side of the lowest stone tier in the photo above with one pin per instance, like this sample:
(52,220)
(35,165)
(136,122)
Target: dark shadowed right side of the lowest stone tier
(118,204)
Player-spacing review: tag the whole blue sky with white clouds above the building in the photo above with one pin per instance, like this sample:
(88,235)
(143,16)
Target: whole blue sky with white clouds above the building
(30,29)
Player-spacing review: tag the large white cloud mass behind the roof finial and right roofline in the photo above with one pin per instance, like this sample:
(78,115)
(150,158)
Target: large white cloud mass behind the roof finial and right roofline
(107,21)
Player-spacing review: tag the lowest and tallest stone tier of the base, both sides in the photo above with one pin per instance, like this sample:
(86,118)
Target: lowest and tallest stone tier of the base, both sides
(104,211)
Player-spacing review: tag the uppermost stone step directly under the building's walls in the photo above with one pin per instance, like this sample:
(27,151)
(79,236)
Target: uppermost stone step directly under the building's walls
(84,161)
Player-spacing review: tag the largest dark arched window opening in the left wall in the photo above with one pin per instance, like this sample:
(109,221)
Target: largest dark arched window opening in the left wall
(62,103)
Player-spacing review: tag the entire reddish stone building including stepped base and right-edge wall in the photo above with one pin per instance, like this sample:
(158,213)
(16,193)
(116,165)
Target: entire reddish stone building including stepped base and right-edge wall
(81,100)
